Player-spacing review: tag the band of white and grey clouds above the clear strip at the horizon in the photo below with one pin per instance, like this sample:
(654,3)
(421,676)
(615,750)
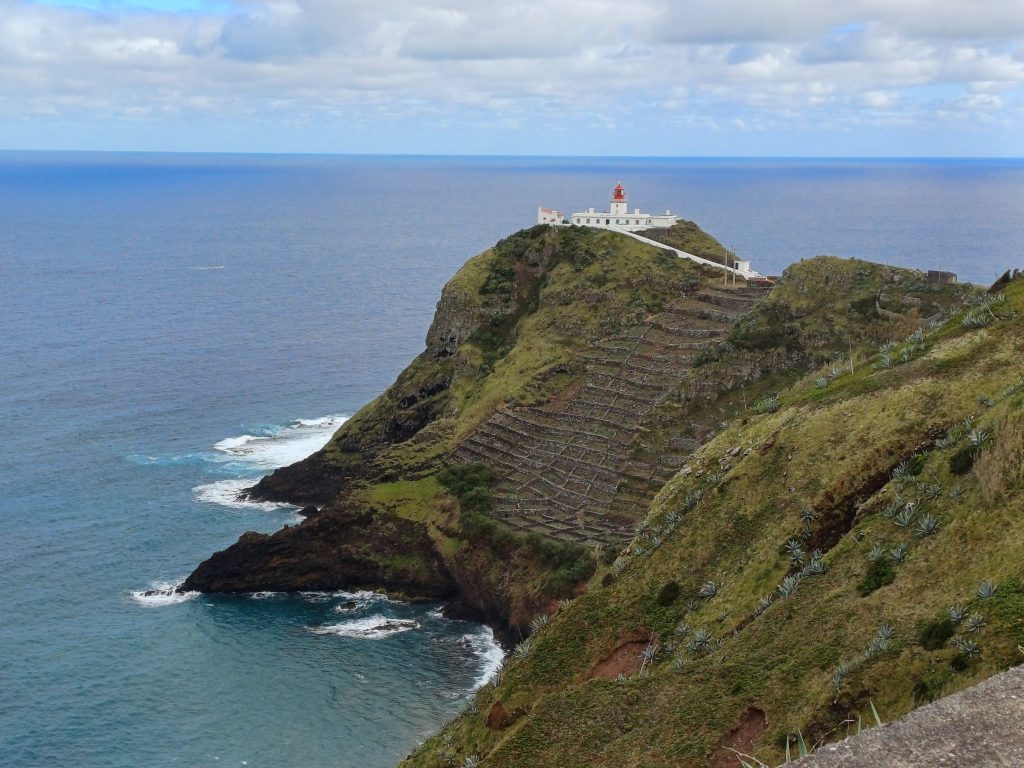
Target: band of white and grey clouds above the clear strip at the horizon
(526,66)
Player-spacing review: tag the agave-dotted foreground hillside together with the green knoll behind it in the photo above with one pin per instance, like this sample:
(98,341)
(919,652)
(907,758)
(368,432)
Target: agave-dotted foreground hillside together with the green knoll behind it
(847,537)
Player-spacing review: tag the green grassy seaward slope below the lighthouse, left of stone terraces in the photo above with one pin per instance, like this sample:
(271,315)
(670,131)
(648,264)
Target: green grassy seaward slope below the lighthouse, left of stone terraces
(539,297)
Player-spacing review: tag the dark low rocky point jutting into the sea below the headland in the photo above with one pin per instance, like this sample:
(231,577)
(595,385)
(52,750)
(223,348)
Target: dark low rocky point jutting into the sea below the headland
(338,549)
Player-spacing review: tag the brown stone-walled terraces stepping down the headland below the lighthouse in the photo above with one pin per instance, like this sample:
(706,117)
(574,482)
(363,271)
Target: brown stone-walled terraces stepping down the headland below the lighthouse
(565,468)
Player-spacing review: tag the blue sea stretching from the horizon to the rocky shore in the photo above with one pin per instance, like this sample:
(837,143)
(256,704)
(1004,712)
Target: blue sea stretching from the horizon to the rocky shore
(175,326)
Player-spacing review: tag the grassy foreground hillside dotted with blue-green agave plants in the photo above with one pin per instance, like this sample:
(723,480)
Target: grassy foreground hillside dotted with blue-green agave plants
(831,447)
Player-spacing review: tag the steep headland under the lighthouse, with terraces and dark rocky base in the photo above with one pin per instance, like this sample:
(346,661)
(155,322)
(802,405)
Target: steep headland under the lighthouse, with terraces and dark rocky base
(580,367)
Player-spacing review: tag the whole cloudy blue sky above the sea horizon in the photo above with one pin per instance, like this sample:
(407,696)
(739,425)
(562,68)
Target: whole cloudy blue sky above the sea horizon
(681,78)
